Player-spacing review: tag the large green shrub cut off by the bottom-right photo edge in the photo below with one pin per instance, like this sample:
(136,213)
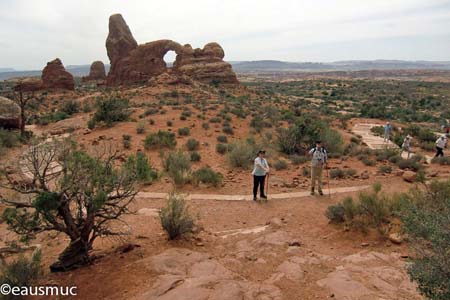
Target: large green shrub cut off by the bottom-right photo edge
(426,222)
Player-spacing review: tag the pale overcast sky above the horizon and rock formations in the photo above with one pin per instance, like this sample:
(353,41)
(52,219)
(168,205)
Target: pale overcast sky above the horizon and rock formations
(33,32)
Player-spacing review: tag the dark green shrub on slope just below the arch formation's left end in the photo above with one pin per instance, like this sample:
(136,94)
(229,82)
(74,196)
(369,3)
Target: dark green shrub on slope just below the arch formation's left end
(110,110)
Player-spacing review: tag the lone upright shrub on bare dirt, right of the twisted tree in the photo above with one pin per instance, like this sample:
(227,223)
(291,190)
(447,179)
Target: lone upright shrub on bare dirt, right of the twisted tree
(175,217)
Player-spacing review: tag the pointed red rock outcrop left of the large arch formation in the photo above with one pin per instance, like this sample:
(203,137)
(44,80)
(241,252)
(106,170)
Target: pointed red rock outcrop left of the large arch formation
(55,76)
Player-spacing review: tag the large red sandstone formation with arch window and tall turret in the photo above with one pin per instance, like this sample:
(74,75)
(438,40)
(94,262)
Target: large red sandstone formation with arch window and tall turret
(132,63)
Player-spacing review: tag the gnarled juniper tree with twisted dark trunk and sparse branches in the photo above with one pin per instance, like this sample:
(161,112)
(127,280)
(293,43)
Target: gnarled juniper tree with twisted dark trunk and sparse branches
(72,192)
